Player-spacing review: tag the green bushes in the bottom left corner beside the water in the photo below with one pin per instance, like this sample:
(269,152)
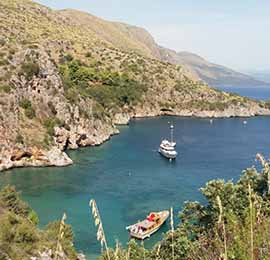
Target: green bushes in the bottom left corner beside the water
(20,238)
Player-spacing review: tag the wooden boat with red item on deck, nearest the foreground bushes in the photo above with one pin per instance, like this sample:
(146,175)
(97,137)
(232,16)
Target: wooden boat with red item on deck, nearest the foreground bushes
(144,229)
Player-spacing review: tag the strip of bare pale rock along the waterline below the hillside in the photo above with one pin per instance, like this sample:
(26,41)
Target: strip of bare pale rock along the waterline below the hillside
(56,156)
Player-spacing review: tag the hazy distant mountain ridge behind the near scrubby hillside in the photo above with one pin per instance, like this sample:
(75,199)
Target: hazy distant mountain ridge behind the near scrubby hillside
(132,38)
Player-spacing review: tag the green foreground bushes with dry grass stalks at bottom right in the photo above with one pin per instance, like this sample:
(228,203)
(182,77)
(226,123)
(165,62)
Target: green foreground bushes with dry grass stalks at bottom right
(234,223)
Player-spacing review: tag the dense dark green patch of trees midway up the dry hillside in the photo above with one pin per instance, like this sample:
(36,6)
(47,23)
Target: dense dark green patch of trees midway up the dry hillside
(108,88)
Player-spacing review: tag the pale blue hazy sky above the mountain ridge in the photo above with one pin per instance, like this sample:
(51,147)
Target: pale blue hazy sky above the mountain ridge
(234,33)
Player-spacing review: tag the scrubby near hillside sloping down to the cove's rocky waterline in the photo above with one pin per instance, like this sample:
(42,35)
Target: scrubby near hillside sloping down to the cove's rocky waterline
(64,86)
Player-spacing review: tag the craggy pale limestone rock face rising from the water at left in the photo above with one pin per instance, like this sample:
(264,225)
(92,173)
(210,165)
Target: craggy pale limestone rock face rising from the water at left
(23,139)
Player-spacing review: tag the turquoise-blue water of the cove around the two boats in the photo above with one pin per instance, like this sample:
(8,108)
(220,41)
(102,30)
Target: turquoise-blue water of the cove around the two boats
(128,178)
